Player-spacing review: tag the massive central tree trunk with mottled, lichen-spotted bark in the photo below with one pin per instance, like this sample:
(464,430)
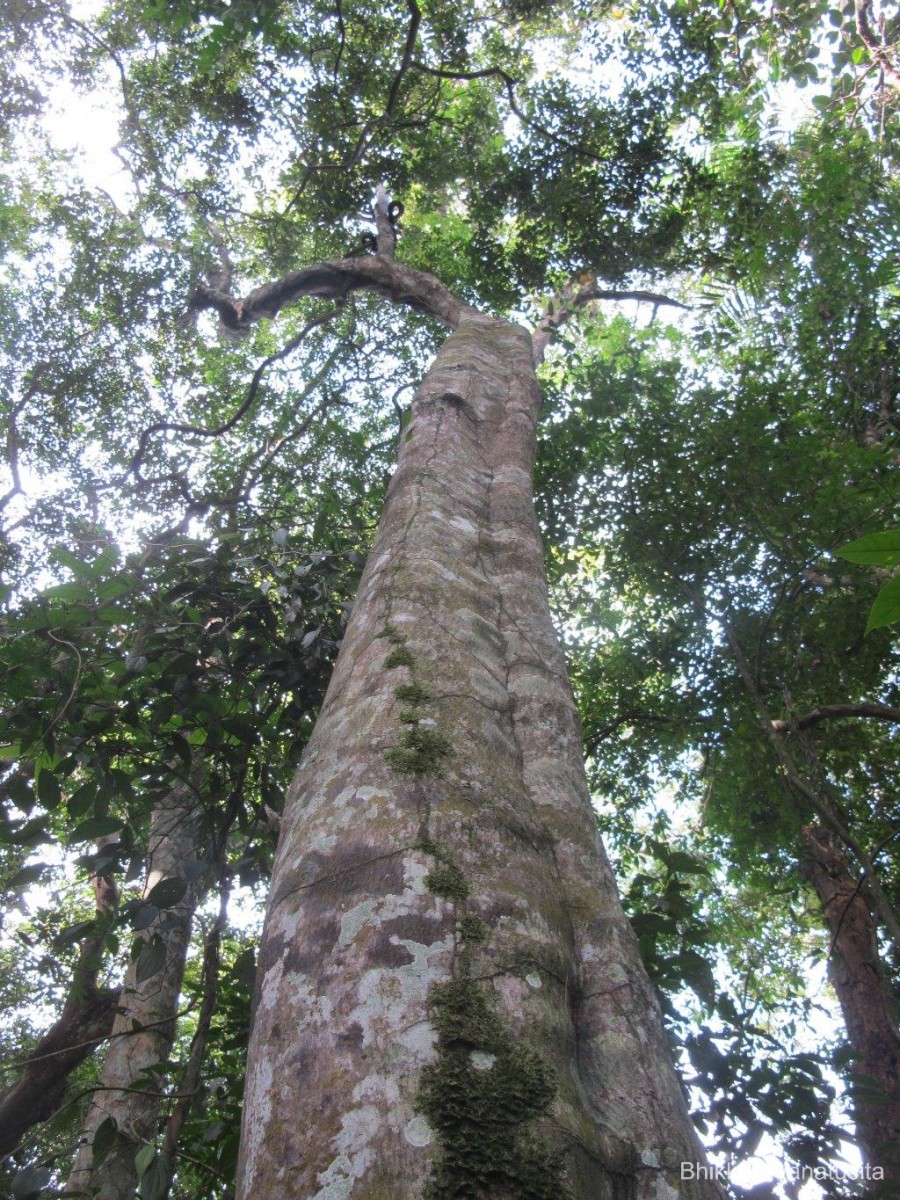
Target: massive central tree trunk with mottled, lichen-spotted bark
(452,1000)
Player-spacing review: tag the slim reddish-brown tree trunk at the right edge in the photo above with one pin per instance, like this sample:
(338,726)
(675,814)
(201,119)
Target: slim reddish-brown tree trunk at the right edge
(868,1009)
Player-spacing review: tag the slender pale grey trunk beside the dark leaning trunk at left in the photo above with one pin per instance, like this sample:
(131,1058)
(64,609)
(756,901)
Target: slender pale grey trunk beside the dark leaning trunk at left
(129,1091)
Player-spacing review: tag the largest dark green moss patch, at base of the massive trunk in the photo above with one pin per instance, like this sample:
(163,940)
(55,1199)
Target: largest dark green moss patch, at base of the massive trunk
(479,1112)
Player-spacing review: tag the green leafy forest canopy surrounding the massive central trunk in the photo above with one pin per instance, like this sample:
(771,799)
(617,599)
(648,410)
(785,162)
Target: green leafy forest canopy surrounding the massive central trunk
(698,206)
